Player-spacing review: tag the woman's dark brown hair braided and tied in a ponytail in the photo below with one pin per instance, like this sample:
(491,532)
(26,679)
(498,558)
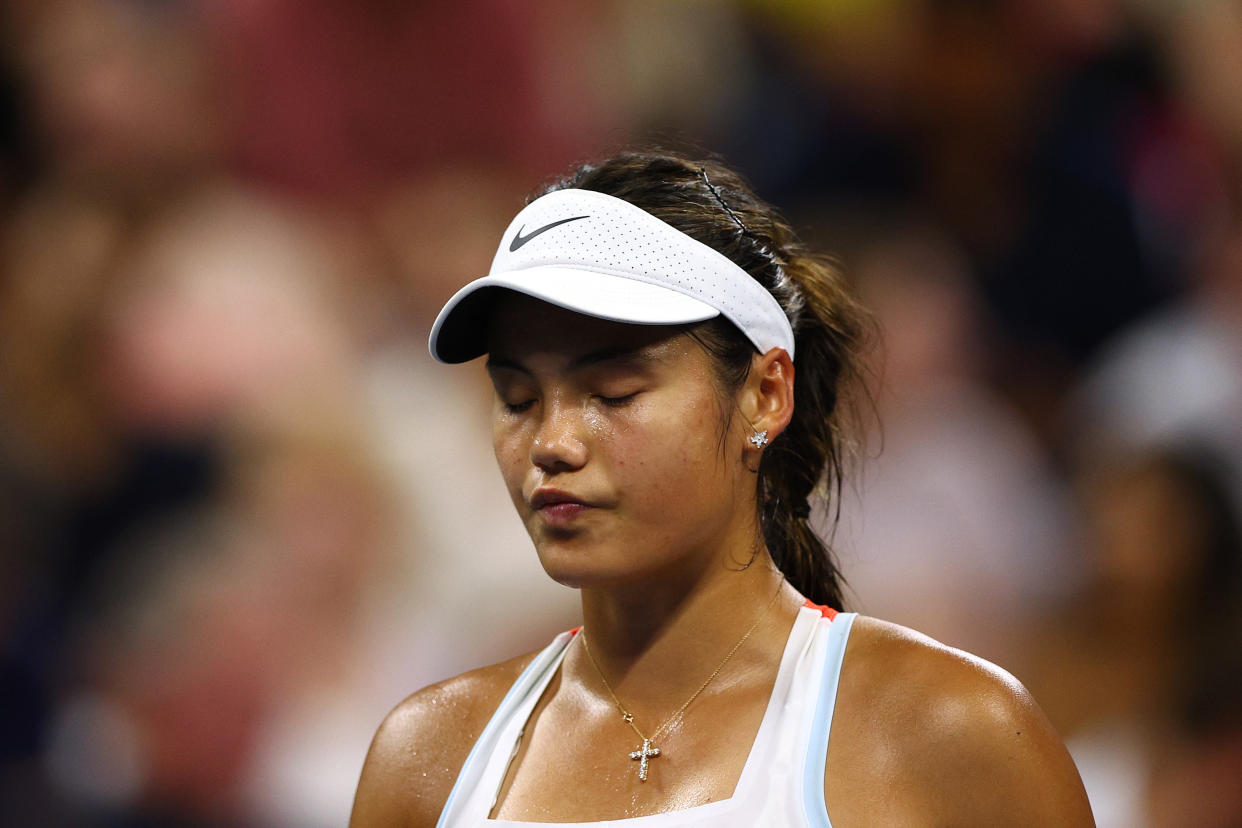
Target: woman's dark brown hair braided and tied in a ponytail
(712,204)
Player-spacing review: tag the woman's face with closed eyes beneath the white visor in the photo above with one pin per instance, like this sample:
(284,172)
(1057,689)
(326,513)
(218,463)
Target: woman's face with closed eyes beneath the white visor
(620,456)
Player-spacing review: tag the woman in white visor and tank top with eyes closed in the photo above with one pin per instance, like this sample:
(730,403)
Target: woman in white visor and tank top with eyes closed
(643,323)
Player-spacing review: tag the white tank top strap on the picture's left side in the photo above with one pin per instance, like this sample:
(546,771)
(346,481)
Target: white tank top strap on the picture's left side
(479,783)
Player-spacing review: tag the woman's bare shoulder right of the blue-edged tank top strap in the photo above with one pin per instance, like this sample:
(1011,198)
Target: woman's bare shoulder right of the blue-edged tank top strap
(951,737)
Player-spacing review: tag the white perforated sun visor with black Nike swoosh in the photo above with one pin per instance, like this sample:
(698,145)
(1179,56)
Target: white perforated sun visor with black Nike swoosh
(605,258)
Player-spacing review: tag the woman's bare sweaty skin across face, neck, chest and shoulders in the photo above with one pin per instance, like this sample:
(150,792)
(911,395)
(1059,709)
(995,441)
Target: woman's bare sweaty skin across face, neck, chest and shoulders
(630,420)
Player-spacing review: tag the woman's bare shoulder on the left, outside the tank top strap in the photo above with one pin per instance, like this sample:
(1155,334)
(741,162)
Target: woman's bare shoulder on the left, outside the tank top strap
(423,744)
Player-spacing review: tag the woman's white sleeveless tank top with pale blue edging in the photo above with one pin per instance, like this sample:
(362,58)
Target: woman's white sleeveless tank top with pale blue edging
(782,784)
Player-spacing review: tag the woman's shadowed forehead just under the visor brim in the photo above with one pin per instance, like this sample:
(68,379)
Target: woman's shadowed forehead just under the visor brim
(521,327)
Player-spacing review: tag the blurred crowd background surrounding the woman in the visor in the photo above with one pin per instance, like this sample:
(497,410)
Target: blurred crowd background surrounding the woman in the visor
(243,513)
